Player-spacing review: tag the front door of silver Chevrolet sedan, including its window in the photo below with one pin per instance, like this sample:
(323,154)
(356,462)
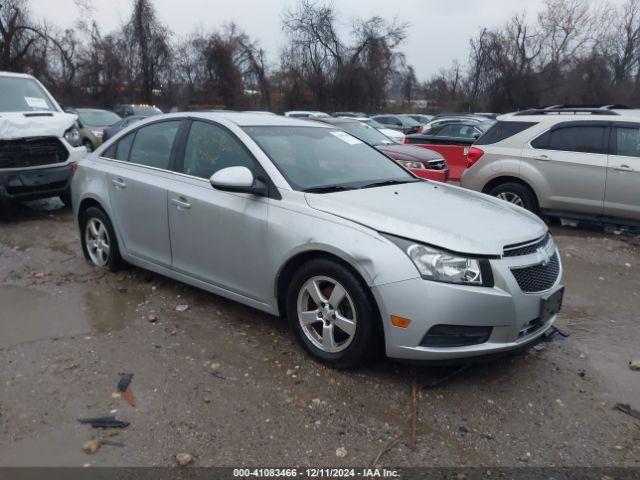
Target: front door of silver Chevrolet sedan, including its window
(218,237)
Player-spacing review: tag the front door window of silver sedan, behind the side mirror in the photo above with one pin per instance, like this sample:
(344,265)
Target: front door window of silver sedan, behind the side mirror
(211,148)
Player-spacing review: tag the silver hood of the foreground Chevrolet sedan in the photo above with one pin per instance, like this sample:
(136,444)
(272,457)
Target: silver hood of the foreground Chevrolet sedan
(440,215)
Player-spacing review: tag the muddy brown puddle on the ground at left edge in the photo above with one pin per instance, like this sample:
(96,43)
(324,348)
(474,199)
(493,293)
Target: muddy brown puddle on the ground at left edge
(27,314)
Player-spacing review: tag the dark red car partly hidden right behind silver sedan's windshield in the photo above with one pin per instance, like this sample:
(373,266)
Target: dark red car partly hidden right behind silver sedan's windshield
(422,163)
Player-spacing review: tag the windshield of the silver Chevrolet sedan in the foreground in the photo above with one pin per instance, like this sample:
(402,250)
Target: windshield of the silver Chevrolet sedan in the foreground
(316,157)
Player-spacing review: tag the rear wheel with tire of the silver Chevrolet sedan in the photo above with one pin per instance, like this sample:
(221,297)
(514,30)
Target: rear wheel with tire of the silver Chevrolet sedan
(99,242)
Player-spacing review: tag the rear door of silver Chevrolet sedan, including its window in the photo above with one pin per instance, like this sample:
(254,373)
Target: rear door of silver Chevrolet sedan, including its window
(138,182)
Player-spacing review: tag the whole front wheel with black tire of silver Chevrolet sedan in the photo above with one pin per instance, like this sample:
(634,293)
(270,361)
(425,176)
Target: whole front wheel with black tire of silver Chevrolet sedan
(331,314)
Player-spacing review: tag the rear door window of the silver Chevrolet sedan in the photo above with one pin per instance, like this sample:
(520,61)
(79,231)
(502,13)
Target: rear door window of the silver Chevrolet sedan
(152,144)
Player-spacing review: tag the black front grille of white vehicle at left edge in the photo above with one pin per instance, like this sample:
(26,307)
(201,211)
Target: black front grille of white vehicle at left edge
(32,152)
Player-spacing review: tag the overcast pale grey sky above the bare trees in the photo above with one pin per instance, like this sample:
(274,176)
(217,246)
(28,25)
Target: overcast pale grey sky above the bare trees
(439,30)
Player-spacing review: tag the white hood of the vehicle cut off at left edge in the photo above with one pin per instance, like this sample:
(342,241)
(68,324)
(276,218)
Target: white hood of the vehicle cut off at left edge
(14,125)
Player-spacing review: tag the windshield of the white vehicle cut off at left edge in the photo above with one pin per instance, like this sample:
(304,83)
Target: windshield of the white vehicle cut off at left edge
(23,95)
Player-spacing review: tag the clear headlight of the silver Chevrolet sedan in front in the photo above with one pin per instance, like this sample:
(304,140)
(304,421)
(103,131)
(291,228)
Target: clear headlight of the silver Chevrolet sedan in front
(442,266)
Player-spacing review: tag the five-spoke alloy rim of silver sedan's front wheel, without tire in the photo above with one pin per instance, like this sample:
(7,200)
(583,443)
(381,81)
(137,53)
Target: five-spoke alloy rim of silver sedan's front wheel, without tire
(327,314)
